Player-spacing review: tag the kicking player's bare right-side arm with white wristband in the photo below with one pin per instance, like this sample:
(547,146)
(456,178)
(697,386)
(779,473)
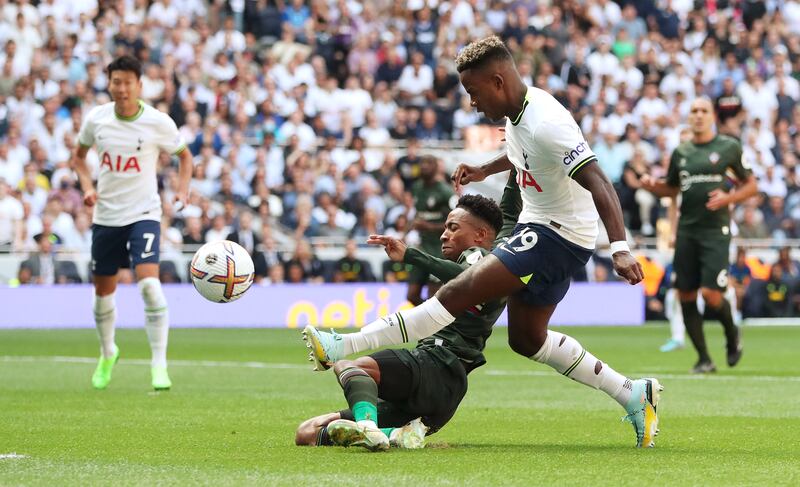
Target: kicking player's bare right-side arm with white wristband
(605,199)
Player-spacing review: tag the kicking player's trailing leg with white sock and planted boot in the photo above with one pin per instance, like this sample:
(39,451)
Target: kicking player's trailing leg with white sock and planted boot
(529,336)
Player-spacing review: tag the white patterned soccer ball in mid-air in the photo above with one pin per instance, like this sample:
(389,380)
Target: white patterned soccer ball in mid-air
(222,271)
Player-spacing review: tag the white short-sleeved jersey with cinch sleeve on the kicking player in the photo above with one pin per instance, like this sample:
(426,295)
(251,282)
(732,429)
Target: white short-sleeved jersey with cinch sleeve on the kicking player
(547,148)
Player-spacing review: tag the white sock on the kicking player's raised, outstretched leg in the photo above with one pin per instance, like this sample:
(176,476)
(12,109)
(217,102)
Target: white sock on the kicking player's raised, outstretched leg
(402,327)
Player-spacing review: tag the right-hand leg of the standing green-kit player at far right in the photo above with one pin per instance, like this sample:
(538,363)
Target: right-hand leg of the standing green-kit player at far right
(714,282)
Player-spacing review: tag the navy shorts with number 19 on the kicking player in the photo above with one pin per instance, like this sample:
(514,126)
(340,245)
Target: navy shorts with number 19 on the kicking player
(543,260)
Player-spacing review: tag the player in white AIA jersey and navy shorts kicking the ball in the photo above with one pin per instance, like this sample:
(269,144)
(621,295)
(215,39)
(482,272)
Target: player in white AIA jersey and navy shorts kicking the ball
(563,190)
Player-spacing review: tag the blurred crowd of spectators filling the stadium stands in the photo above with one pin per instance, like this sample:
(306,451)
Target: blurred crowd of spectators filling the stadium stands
(308,118)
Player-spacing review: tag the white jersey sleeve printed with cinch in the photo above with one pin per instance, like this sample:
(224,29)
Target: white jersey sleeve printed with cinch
(562,144)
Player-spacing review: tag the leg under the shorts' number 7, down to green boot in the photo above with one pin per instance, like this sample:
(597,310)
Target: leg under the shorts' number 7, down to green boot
(144,245)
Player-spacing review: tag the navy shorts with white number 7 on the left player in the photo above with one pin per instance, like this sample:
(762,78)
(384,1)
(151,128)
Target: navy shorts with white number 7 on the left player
(115,247)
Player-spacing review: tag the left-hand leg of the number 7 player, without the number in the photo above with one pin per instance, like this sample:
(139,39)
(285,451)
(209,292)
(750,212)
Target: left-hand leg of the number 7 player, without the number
(108,251)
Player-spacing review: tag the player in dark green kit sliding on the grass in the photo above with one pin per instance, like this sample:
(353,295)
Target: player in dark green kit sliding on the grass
(395,396)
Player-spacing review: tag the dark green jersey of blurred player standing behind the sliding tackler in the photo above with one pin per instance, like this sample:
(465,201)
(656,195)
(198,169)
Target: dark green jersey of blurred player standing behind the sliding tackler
(432,203)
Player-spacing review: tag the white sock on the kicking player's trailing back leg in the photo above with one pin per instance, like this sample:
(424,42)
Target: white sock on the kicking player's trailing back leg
(569,358)
